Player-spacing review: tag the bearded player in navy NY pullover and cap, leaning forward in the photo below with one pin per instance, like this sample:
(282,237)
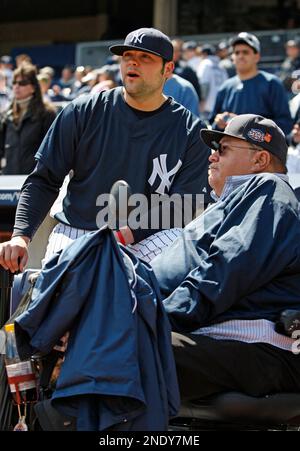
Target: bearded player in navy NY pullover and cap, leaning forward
(134,133)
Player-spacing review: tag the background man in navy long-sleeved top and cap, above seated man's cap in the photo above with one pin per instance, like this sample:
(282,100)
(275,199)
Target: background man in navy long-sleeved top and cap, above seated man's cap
(251,90)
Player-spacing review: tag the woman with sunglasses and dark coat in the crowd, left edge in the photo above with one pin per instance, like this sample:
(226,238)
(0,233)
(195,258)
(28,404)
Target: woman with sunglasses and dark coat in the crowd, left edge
(25,124)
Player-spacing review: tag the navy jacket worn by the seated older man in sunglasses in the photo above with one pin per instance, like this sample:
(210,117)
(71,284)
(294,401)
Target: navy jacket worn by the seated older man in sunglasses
(239,260)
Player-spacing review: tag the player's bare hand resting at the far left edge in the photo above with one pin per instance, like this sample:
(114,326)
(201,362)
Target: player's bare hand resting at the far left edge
(14,253)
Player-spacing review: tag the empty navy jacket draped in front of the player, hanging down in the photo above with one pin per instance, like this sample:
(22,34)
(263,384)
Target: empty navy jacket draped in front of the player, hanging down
(119,368)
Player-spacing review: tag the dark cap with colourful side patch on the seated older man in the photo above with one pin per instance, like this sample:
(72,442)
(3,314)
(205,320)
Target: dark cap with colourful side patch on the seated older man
(254,129)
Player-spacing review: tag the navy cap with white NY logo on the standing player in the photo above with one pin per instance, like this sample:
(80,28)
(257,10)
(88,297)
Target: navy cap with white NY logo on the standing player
(148,40)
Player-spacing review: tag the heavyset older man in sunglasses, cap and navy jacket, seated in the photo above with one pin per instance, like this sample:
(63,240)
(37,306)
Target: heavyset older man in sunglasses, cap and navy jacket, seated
(235,268)
